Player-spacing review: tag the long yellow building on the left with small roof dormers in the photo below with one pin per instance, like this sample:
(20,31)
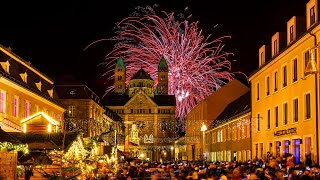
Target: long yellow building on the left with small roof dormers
(28,102)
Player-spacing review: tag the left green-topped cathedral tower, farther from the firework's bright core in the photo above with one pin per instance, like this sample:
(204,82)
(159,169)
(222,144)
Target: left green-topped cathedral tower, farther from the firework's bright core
(120,77)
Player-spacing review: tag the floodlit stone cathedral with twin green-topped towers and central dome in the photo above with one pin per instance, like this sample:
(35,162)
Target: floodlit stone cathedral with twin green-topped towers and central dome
(148,112)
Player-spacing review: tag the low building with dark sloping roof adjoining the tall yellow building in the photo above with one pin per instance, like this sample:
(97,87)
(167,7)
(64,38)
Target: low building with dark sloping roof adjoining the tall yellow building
(228,137)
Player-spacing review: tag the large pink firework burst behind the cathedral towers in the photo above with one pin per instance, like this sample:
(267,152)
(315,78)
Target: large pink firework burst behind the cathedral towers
(197,65)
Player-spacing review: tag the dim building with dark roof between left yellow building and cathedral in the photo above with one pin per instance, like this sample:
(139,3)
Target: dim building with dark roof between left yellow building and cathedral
(84,110)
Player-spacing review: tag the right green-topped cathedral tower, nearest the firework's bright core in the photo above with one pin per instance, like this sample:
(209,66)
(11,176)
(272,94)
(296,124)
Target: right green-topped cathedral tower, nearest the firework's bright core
(162,87)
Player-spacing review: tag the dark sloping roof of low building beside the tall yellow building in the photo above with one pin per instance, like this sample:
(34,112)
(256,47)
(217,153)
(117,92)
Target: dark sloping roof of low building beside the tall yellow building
(235,109)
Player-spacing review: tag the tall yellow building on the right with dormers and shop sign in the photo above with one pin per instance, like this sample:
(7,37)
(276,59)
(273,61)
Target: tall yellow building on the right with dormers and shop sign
(284,97)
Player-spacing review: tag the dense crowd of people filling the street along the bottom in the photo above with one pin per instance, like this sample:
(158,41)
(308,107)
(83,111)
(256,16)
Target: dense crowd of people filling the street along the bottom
(281,168)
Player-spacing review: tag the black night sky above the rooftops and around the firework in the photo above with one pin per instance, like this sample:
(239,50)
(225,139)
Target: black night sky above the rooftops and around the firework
(52,35)
